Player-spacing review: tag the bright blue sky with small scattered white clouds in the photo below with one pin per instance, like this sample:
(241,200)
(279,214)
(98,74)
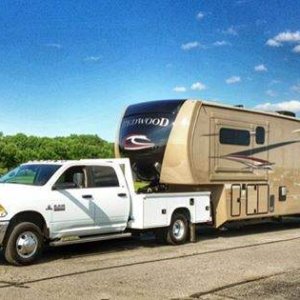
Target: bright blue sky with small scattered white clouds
(73,66)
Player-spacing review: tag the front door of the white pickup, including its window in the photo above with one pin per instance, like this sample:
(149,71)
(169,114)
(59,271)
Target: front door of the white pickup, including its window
(72,209)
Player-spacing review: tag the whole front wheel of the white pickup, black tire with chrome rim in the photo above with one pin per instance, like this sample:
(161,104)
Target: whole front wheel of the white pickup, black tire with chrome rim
(24,244)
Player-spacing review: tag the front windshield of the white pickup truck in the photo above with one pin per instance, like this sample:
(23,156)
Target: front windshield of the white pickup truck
(31,174)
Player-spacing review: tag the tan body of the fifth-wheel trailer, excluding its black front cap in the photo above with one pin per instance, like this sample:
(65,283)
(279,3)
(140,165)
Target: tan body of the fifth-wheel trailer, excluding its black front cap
(249,160)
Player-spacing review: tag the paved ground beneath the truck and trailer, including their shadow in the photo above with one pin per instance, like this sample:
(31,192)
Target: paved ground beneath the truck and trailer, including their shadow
(261,261)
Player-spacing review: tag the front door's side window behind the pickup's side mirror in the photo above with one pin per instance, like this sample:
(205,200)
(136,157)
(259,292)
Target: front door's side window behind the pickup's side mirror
(74,177)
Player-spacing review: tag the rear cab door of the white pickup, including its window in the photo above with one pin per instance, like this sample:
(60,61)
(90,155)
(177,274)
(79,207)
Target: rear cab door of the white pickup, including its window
(110,198)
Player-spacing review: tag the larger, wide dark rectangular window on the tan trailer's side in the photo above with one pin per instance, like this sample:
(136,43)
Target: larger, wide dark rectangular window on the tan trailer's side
(232,136)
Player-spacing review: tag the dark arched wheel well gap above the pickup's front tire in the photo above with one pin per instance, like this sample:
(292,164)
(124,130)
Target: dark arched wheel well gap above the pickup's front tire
(32,217)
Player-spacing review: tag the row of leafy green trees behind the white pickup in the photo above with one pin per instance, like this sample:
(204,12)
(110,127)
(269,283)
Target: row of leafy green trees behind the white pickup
(19,148)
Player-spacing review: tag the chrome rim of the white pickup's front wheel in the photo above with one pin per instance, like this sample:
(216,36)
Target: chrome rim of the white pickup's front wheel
(27,244)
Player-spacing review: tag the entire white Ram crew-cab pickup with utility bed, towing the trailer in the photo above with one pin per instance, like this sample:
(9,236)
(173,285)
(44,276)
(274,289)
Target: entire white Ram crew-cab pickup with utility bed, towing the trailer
(68,202)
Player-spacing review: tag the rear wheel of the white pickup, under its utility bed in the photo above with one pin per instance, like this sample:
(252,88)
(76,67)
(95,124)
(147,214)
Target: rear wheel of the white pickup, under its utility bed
(178,231)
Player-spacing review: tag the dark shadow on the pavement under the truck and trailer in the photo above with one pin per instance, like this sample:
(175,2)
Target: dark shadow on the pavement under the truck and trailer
(147,240)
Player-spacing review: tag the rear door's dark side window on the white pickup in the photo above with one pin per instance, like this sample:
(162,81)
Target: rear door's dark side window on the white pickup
(103,176)
